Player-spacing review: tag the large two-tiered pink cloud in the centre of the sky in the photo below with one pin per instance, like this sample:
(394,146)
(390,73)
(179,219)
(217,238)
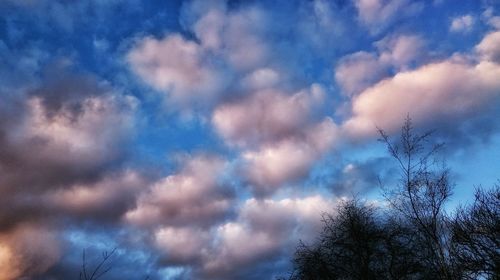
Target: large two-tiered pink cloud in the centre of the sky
(279,134)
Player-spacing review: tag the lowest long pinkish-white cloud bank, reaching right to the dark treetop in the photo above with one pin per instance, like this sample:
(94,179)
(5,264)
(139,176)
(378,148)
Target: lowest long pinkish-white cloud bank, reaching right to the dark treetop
(263,230)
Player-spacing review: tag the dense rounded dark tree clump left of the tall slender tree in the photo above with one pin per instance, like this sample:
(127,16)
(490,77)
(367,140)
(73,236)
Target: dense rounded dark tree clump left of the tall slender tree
(356,243)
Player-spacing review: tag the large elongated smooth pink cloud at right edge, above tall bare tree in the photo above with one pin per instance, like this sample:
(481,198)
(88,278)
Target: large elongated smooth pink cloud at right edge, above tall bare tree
(449,90)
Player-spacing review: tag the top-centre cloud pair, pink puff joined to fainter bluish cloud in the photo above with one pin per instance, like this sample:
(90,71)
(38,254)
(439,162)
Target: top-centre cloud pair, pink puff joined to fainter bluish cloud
(197,73)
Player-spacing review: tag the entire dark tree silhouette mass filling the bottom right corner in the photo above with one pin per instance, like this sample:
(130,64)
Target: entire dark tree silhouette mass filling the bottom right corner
(412,237)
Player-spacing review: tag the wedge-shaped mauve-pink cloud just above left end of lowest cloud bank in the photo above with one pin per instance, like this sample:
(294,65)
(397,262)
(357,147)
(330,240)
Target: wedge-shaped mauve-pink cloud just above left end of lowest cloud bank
(192,196)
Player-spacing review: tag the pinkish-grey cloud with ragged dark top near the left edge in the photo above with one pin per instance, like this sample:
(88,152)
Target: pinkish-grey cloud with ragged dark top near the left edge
(86,137)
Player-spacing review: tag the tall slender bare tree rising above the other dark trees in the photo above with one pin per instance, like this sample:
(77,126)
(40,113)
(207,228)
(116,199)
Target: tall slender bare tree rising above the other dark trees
(420,197)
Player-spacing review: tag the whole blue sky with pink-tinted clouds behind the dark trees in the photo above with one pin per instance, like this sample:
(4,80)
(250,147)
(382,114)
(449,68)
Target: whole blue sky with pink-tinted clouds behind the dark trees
(204,139)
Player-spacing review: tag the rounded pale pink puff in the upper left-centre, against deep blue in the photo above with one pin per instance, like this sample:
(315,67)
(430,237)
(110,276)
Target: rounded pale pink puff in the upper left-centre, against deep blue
(178,67)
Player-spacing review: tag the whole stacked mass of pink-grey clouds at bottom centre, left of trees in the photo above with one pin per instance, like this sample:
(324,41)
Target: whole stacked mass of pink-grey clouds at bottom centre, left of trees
(194,225)
